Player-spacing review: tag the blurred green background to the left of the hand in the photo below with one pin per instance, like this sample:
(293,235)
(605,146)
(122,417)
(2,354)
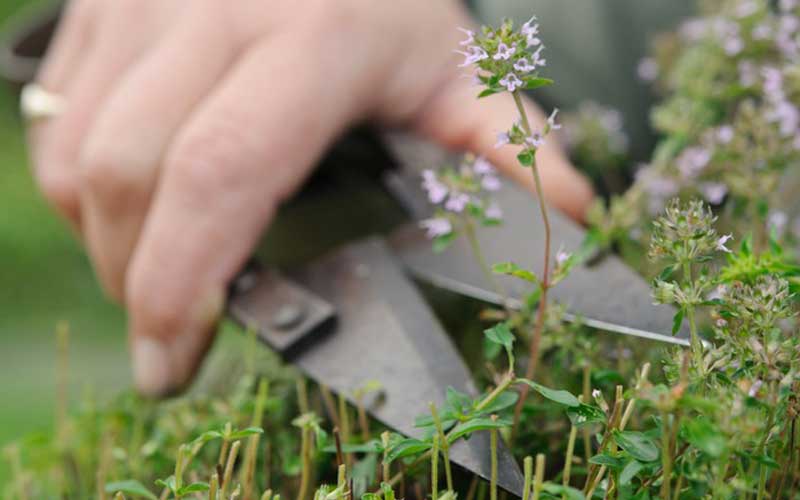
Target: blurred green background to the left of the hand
(44,278)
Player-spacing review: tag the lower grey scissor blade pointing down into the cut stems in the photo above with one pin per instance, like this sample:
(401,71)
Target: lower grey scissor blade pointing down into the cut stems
(383,331)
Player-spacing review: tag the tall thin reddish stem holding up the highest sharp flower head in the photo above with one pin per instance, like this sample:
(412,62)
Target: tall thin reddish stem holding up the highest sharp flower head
(545,279)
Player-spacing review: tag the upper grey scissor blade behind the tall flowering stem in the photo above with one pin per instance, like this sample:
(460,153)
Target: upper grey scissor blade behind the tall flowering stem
(608,296)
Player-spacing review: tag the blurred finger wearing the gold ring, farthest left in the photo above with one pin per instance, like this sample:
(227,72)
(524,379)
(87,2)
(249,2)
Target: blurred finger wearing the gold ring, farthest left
(84,74)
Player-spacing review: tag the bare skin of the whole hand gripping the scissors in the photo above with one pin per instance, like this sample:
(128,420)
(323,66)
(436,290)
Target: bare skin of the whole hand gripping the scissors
(190,121)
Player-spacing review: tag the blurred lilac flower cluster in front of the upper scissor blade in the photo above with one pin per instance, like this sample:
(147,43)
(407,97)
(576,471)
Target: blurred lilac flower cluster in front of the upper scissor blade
(461,194)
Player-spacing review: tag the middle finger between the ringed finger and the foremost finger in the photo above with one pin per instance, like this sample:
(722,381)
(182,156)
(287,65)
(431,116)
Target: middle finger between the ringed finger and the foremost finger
(121,158)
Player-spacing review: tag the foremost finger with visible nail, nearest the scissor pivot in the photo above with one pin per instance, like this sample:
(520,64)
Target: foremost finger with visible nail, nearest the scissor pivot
(249,144)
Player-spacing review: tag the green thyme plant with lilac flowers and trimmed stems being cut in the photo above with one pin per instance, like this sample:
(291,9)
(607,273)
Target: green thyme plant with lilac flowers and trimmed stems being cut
(705,221)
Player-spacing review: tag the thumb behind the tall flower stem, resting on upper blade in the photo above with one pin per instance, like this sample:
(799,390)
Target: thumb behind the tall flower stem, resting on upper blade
(454,117)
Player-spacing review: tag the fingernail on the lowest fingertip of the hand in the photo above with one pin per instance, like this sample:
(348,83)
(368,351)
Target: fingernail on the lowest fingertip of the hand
(151,366)
